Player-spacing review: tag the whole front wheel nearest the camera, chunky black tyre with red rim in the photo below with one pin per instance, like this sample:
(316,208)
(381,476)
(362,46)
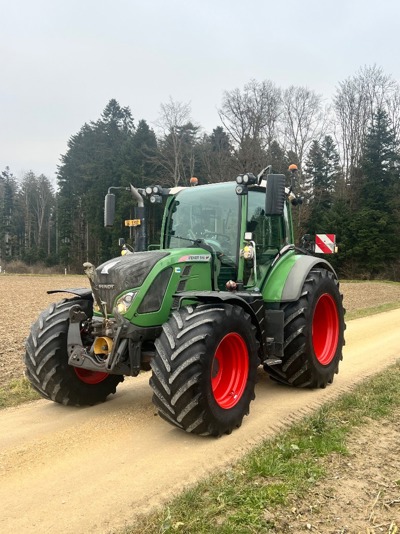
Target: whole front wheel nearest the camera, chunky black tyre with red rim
(204,370)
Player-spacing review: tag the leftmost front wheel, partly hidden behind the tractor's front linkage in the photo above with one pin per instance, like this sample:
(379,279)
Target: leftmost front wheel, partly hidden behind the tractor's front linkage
(46,360)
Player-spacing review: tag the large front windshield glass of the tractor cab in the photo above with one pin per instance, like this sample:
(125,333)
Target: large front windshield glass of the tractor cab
(208,212)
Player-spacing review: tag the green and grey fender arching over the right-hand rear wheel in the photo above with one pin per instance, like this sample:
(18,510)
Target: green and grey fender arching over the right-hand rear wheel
(287,278)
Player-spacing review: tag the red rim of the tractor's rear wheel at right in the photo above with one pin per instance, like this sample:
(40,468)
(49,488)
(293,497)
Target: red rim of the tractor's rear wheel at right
(325,329)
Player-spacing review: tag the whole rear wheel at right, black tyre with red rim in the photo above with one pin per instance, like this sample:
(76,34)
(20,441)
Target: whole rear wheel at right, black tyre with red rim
(313,334)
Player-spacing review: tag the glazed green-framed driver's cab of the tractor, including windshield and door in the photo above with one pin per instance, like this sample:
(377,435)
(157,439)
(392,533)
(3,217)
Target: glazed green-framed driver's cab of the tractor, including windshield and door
(234,226)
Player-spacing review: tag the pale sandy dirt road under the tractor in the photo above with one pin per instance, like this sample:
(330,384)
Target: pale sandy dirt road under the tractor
(86,470)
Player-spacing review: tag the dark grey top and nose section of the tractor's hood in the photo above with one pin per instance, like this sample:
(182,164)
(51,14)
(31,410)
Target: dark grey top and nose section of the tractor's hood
(125,272)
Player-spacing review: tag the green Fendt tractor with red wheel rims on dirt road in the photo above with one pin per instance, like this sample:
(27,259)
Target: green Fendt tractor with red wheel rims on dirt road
(226,291)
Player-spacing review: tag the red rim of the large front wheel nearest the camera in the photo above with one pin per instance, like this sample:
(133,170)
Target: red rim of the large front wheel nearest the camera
(229,370)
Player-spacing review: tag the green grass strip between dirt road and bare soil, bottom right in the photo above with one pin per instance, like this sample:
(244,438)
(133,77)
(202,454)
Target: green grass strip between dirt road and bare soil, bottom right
(237,499)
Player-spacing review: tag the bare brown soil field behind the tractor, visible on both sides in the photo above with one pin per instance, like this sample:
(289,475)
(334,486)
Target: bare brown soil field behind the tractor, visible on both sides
(23,297)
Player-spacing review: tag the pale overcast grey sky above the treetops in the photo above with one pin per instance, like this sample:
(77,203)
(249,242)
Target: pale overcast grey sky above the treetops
(62,61)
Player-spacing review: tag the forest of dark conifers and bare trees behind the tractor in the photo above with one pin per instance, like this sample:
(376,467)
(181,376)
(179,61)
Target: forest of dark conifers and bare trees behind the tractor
(347,151)
